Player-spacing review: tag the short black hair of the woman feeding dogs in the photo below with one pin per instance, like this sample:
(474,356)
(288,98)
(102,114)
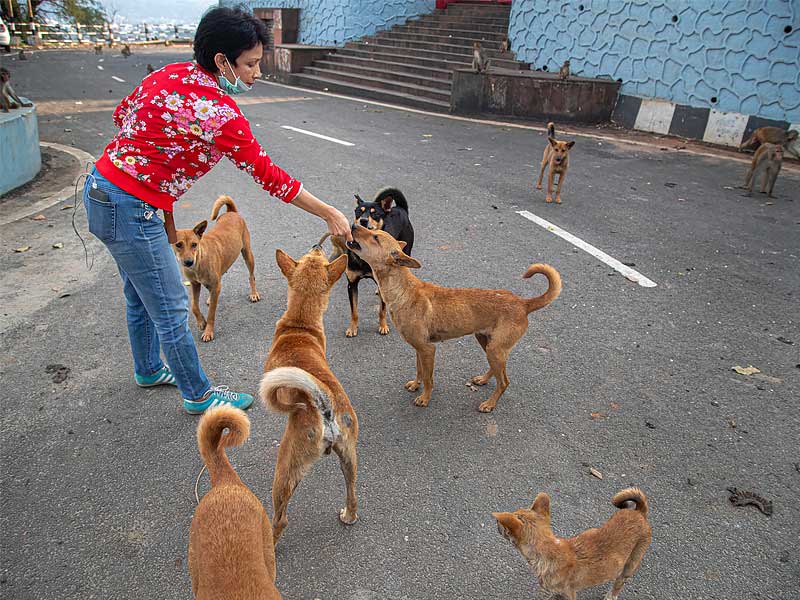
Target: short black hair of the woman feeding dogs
(227,30)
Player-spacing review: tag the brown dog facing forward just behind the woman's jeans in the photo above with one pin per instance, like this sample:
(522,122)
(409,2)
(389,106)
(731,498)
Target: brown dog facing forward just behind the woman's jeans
(206,257)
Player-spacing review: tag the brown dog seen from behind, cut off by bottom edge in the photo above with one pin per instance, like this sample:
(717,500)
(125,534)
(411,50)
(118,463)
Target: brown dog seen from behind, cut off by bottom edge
(231,553)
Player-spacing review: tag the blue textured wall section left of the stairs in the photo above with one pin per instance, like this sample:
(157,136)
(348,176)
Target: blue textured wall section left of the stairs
(333,22)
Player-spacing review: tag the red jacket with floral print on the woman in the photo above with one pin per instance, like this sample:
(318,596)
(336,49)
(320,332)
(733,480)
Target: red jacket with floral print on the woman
(174,128)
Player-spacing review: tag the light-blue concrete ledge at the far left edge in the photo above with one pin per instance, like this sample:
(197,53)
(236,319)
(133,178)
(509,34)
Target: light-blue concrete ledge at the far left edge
(19,143)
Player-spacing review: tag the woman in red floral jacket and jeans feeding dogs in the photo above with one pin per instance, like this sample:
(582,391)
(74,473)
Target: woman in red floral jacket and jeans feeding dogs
(173,129)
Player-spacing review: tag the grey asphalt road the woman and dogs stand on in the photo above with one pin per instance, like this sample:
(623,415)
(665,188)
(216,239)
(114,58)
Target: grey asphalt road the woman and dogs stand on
(97,476)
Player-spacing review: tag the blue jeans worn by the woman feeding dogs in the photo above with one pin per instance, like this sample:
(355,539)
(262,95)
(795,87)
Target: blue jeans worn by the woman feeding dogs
(157,306)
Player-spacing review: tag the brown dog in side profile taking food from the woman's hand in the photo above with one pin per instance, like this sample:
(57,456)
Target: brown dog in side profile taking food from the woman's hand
(425,313)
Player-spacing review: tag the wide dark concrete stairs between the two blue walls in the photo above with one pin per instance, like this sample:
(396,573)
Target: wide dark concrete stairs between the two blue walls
(412,64)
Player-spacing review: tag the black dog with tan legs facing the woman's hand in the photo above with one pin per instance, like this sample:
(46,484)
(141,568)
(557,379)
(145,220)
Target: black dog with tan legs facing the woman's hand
(378,214)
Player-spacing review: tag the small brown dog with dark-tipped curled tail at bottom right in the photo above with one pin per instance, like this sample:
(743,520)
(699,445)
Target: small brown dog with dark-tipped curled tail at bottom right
(567,565)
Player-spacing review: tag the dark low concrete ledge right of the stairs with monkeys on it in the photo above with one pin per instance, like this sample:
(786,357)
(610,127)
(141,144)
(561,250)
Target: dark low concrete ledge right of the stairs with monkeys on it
(533,94)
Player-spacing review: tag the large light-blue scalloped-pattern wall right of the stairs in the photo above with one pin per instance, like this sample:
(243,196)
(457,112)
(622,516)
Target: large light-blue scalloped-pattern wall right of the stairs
(733,50)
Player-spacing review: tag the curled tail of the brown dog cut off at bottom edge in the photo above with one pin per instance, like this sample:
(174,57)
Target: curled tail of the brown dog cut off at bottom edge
(212,442)
